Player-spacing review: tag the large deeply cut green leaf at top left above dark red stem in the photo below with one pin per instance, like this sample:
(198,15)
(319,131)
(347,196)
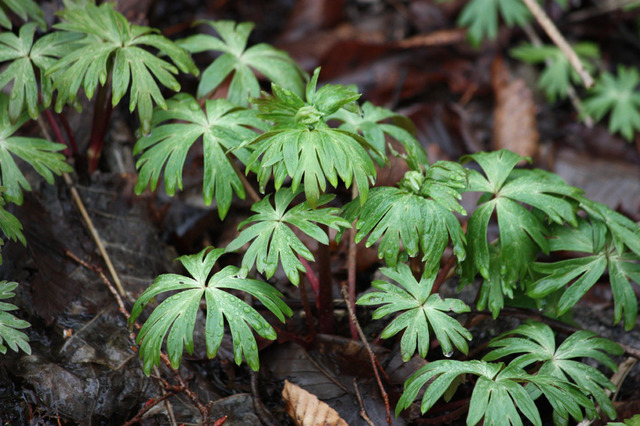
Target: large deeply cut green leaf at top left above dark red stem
(112,49)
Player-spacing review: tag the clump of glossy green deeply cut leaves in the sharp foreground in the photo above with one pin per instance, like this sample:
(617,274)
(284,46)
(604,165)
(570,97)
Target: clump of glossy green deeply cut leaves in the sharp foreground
(299,138)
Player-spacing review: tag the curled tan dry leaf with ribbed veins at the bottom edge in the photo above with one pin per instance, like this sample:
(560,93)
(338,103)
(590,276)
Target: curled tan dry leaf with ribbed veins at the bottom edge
(307,410)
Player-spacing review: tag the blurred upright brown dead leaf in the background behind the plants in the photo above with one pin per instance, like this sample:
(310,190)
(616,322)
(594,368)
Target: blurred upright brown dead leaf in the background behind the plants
(514,121)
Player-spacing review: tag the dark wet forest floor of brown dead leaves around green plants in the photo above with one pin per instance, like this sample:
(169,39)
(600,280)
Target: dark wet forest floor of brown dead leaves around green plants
(408,56)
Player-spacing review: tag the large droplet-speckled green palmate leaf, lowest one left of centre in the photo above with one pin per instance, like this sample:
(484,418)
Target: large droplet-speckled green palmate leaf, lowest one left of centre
(175,317)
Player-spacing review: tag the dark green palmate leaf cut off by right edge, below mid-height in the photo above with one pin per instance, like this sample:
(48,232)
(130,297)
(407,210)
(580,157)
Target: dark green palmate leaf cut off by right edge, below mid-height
(582,273)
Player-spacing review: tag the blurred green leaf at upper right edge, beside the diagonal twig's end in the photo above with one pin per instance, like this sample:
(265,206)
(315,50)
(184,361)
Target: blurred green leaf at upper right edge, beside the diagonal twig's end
(617,95)
